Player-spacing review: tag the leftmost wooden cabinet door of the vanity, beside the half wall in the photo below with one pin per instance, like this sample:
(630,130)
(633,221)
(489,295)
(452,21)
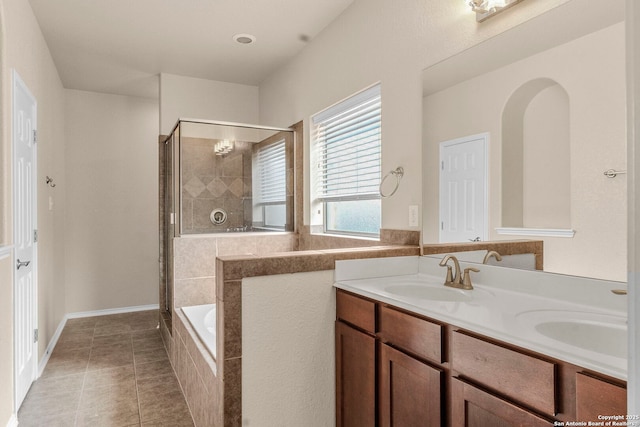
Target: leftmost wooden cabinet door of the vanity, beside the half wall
(355,377)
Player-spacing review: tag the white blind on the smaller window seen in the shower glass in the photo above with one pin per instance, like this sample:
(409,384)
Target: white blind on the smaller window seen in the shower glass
(271,174)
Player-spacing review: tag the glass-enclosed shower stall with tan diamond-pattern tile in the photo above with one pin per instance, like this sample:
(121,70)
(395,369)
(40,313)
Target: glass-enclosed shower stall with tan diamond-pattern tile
(219,177)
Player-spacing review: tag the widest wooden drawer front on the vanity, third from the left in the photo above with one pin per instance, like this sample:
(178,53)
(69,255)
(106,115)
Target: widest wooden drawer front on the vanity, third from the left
(519,377)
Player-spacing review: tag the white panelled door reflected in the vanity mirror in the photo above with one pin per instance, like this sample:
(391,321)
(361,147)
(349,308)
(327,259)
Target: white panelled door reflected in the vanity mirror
(463,189)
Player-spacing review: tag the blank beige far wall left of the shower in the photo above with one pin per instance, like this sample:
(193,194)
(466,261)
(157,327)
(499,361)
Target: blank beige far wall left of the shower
(111,224)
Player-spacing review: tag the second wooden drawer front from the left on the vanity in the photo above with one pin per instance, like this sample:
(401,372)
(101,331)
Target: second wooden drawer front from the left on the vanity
(411,333)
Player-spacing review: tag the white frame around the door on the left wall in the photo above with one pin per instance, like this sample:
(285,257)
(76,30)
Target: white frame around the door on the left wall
(16,81)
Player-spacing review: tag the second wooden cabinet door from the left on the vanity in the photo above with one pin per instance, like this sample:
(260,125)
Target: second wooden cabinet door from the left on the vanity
(410,392)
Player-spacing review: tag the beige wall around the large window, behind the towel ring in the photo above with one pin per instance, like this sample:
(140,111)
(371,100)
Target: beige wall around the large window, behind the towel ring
(375,40)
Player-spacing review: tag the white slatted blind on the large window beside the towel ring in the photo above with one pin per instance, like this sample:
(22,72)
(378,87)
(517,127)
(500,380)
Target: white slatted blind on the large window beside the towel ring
(347,140)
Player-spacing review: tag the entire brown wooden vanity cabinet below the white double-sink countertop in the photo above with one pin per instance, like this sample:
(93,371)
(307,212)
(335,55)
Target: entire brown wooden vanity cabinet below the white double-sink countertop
(394,368)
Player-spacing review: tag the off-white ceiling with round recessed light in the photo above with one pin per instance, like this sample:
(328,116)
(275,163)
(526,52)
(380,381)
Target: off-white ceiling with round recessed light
(120,46)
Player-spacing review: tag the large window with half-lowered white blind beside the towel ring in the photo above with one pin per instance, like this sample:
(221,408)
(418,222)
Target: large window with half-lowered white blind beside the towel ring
(346,142)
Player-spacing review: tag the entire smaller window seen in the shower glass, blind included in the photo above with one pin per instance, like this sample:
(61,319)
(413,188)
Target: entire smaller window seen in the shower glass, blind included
(270,186)
